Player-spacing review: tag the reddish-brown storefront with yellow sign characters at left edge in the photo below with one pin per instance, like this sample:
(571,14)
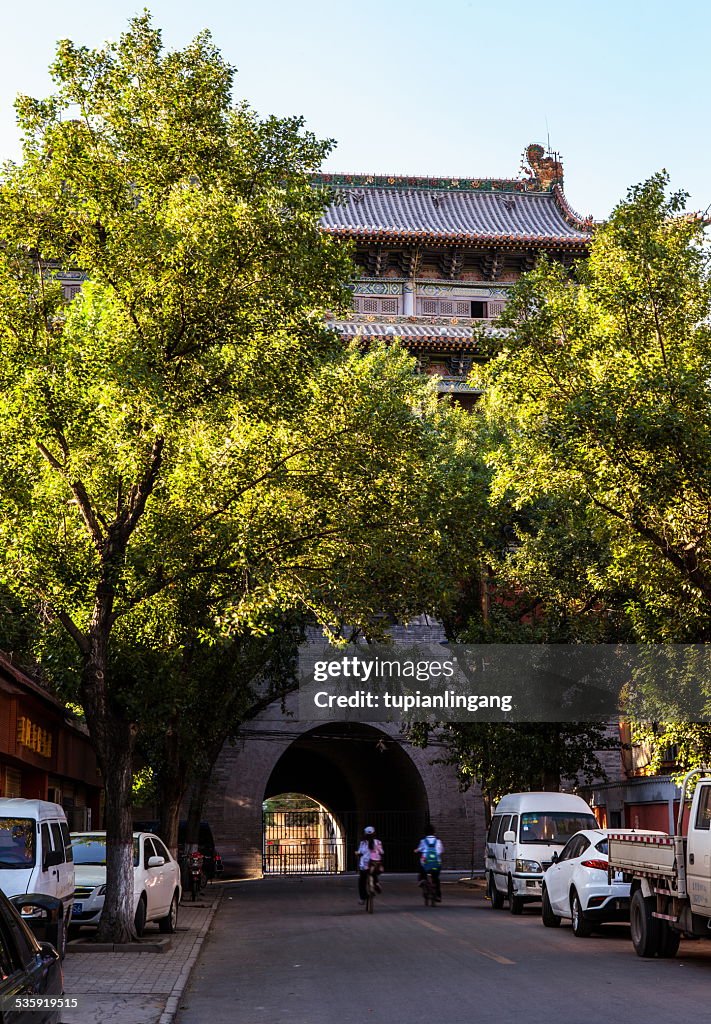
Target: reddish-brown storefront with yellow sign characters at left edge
(46,753)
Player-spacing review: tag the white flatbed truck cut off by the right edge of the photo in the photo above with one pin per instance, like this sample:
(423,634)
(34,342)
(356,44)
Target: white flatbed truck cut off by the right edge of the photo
(671,876)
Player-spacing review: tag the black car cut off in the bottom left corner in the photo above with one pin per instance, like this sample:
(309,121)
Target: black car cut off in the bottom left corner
(28,969)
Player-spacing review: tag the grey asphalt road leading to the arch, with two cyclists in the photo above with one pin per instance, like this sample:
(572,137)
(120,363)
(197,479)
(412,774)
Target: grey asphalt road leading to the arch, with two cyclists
(303,952)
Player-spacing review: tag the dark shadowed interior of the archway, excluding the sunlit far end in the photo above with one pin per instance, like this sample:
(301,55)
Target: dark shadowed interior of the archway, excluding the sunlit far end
(364,778)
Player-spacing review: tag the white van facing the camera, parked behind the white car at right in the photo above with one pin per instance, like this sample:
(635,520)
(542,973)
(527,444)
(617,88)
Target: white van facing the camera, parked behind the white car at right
(526,831)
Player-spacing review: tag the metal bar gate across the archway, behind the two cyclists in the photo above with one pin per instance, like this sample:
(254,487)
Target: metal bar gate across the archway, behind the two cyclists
(316,842)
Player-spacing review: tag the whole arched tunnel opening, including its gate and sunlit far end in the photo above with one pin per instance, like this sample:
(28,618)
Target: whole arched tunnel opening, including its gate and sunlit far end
(356,776)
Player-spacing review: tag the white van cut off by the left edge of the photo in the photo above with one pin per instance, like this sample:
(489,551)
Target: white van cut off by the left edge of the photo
(36,855)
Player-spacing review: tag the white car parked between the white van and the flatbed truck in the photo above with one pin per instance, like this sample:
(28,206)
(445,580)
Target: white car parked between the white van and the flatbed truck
(576,885)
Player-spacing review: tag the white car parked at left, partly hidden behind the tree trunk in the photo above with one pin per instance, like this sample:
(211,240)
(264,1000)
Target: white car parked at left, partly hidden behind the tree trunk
(156,881)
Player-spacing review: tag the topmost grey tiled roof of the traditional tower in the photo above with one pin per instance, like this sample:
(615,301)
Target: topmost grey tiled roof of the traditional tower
(527,219)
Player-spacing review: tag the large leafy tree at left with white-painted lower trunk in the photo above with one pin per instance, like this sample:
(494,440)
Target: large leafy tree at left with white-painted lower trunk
(188,416)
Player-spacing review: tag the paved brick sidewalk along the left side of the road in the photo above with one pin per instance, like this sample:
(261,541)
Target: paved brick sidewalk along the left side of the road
(139,988)
